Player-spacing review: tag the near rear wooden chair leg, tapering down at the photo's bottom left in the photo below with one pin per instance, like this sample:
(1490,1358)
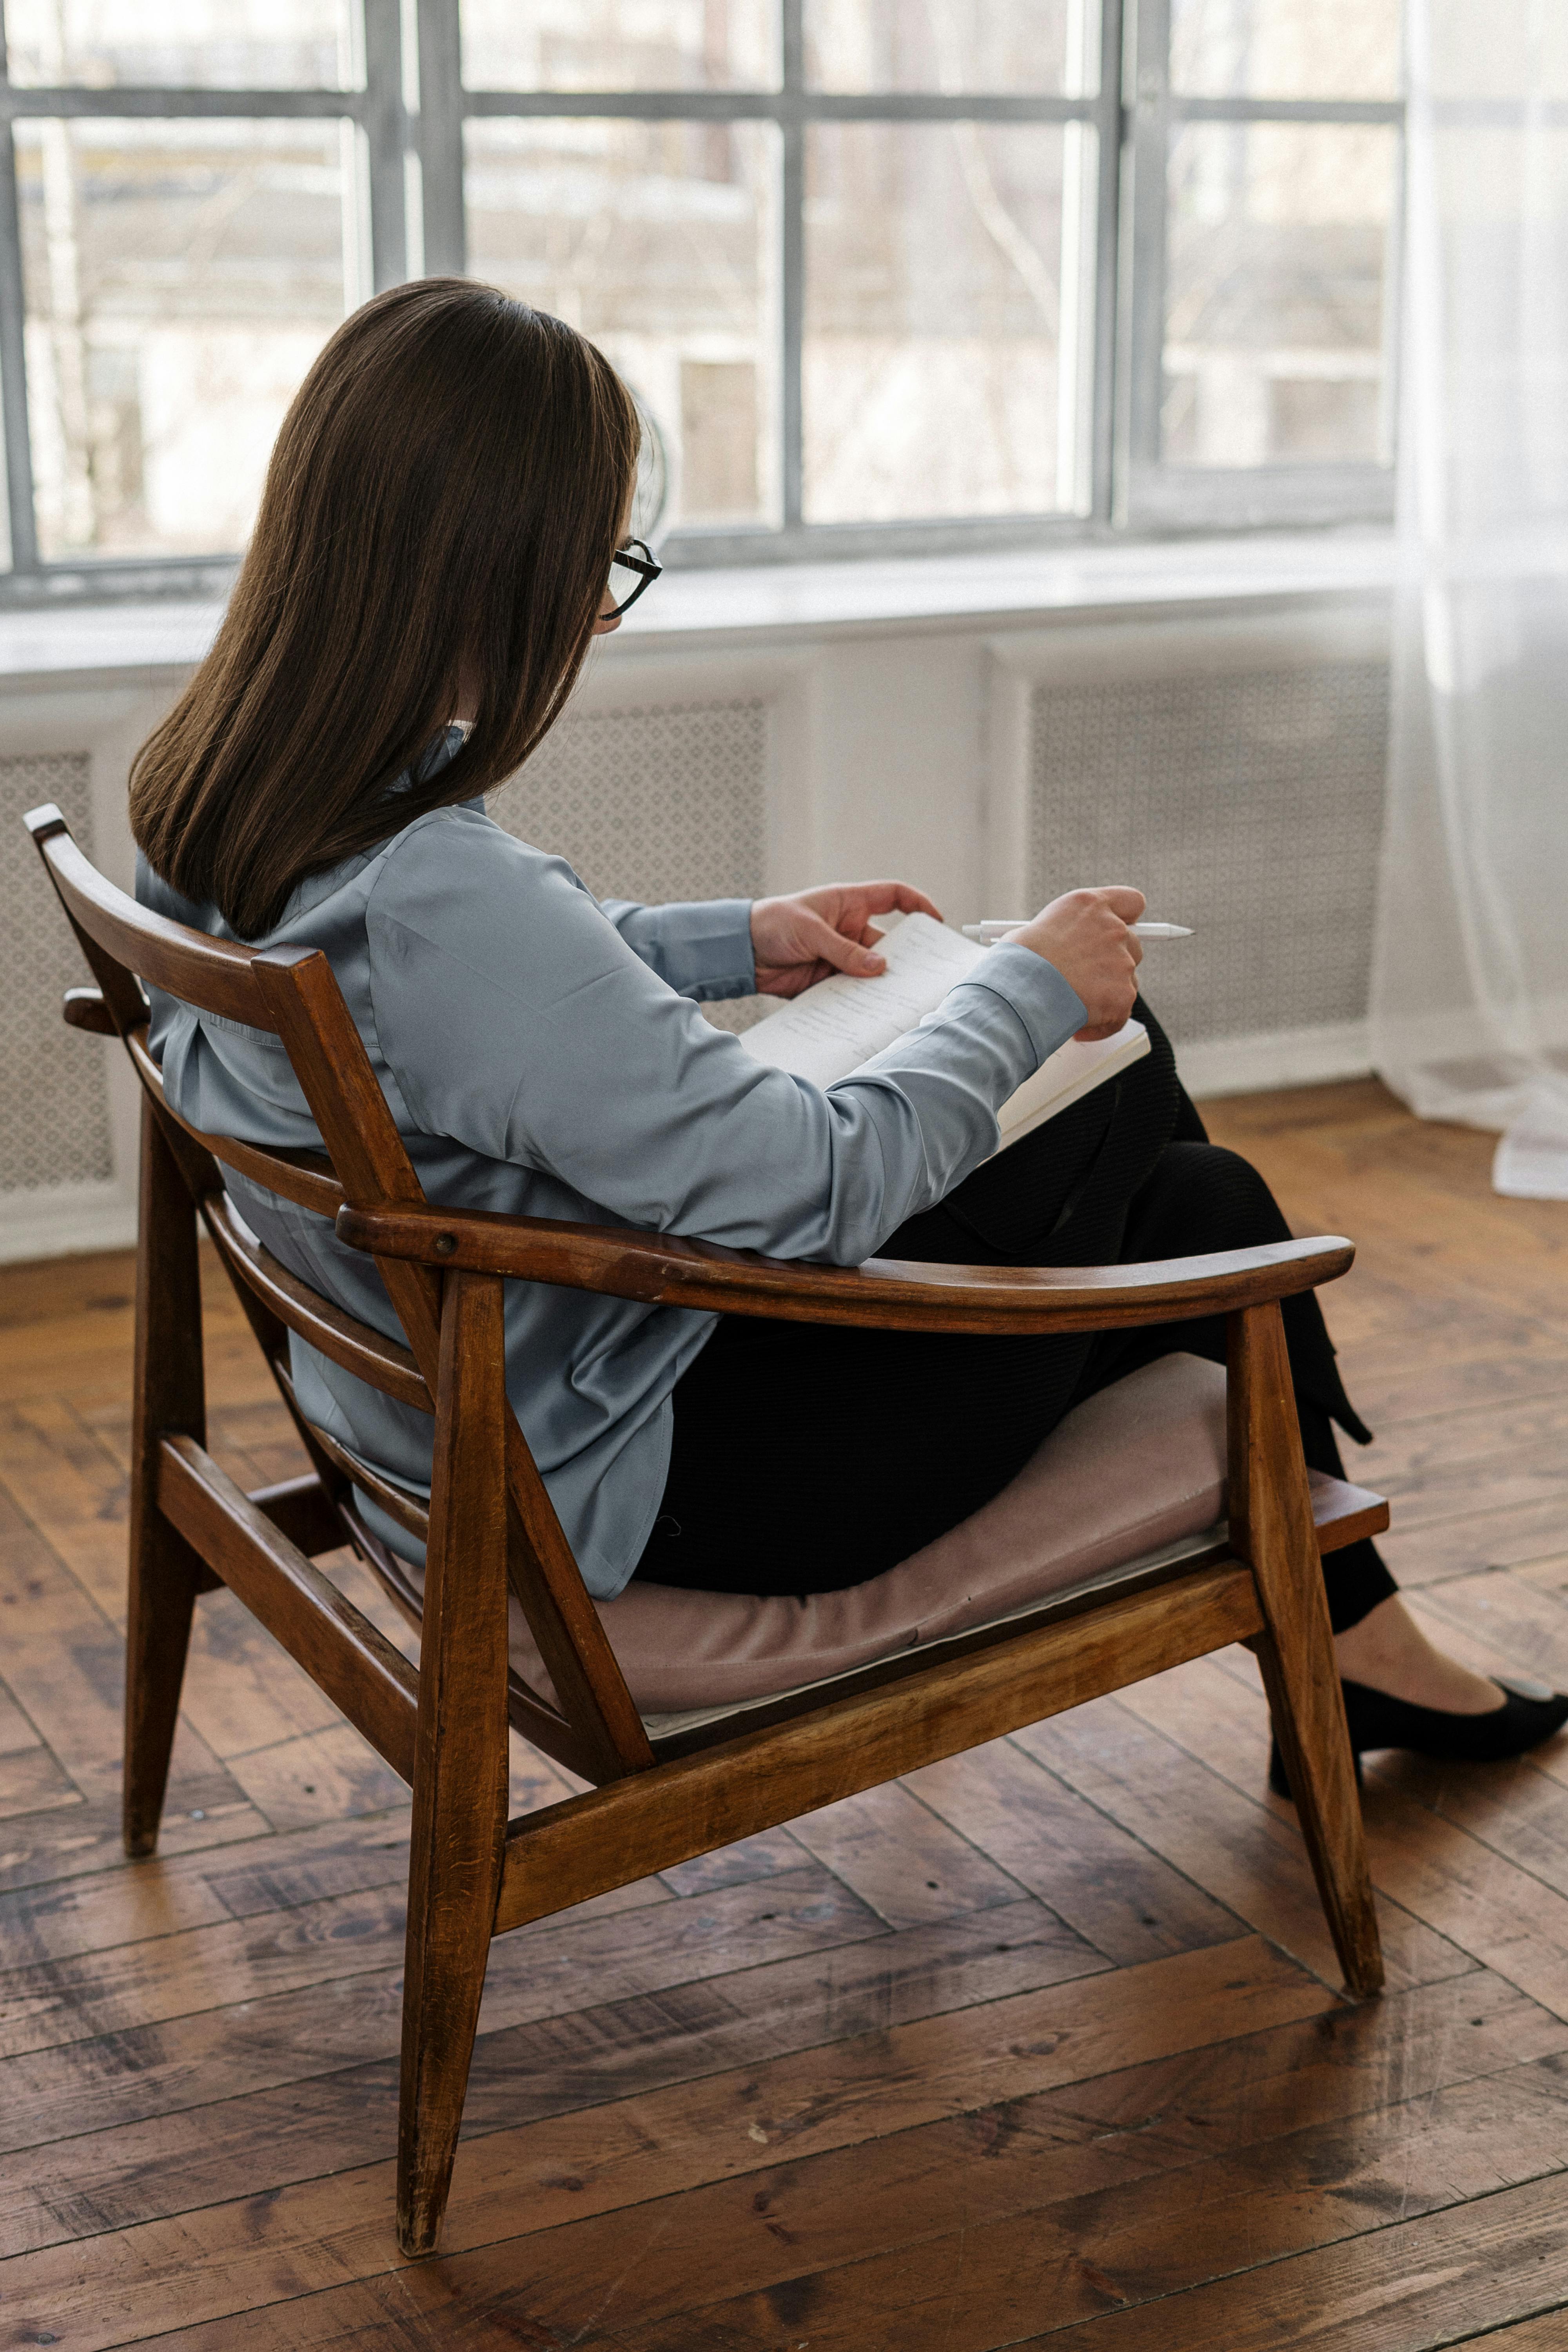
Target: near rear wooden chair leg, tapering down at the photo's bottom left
(462,1758)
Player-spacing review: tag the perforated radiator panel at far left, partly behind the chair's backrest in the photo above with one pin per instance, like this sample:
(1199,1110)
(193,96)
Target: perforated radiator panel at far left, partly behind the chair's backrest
(55,1123)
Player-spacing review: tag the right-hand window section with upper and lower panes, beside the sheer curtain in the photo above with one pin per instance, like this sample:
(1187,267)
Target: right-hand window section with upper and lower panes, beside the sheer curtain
(1266,168)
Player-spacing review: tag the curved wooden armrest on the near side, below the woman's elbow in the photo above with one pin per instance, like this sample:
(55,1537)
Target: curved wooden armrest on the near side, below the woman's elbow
(885,1292)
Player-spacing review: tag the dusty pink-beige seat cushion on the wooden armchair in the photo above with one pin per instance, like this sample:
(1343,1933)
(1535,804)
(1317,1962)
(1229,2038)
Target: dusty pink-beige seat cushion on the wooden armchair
(1127,1474)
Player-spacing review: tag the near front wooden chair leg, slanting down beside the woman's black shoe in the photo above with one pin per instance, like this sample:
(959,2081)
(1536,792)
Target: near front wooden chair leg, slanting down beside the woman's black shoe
(1271,1528)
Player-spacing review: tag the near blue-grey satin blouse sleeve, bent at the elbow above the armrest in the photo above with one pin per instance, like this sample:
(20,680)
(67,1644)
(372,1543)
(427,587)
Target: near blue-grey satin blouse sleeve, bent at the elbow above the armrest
(521,1020)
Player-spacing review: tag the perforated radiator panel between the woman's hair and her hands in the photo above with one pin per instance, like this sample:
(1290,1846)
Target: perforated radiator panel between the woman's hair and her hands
(655,806)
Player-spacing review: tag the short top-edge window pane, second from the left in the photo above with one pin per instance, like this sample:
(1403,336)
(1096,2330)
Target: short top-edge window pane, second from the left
(619,44)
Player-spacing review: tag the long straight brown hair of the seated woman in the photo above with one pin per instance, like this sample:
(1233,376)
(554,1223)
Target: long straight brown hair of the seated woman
(443,505)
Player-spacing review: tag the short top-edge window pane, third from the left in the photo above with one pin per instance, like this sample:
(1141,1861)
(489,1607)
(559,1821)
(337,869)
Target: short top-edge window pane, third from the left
(998,46)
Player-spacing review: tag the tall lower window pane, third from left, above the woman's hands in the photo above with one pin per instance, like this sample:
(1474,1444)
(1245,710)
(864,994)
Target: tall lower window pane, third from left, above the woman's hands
(932,319)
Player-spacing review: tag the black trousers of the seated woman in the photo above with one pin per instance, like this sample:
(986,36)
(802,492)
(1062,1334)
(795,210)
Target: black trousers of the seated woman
(810,1457)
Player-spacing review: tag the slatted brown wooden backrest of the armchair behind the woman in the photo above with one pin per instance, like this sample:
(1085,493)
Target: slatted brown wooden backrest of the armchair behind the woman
(293,994)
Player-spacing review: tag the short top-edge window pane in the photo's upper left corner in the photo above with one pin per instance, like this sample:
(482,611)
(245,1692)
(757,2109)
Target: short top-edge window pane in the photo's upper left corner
(201,44)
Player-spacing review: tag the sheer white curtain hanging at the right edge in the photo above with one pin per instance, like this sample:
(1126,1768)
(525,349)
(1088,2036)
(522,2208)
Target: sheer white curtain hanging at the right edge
(1470,965)
